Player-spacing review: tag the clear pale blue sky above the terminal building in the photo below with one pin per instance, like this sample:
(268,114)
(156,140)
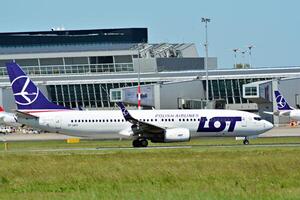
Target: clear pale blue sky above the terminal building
(272,26)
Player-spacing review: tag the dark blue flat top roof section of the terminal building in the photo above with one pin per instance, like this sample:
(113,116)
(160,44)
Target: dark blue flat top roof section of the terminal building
(74,37)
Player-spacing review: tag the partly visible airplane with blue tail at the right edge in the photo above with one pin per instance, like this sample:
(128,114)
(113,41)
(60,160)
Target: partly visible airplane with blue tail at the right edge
(284,109)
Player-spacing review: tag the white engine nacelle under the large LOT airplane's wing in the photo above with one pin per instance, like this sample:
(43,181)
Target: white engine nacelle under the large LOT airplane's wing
(177,135)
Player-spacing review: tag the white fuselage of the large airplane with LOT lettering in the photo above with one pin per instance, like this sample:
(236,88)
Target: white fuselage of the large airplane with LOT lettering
(107,123)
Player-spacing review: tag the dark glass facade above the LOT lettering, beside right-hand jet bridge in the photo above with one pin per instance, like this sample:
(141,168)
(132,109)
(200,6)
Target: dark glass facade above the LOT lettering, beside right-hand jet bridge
(230,90)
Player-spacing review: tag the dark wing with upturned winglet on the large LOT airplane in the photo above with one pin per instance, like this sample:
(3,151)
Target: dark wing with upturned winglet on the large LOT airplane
(139,126)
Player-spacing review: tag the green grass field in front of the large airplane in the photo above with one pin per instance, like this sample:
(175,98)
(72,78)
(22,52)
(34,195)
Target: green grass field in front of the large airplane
(203,172)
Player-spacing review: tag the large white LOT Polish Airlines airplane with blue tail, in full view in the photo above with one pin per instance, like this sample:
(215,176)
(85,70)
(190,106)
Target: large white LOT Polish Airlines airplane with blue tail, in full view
(158,126)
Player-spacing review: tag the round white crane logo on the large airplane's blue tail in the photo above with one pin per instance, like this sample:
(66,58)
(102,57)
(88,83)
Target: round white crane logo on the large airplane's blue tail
(25,91)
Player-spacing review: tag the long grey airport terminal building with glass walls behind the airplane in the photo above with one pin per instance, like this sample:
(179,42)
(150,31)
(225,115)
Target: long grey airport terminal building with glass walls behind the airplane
(95,68)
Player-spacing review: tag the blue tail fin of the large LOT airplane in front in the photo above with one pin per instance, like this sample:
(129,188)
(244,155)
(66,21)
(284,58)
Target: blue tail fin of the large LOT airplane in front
(27,94)
